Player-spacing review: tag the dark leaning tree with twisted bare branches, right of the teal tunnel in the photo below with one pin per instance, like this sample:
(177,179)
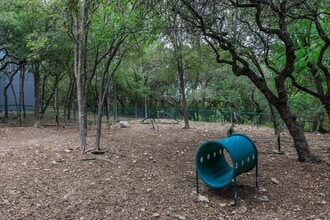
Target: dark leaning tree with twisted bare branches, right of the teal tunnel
(241,64)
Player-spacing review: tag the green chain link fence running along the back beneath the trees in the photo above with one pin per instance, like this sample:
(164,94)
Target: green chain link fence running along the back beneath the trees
(62,116)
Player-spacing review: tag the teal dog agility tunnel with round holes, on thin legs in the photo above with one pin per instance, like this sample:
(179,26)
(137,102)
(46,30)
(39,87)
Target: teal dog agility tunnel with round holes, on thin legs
(219,162)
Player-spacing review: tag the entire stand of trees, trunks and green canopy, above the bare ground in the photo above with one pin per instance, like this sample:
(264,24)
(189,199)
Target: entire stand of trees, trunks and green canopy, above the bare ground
(249,56)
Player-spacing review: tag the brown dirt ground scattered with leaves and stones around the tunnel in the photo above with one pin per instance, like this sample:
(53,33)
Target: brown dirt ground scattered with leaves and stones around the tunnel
(150,174)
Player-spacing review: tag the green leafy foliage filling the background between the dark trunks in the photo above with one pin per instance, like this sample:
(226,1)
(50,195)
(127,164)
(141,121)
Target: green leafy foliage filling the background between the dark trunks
(133,34)
